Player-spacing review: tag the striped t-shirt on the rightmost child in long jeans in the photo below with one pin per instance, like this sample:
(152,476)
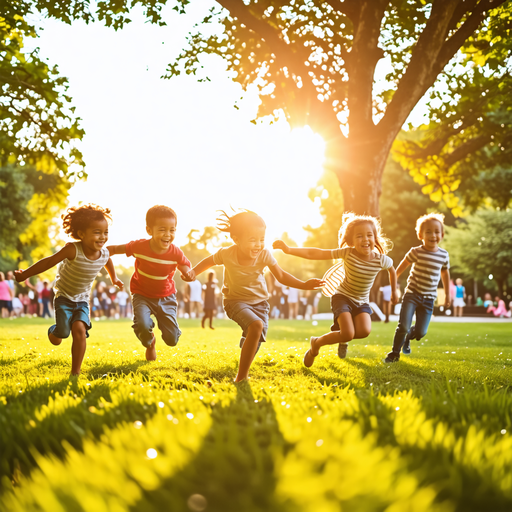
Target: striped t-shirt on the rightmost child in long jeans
(426,270)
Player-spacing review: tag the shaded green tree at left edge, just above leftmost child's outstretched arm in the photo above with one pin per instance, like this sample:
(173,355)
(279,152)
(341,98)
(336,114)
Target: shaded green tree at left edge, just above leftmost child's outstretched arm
(30,201)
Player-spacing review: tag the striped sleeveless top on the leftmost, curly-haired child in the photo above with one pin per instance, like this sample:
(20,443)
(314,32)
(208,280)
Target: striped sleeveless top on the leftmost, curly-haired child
(75,277)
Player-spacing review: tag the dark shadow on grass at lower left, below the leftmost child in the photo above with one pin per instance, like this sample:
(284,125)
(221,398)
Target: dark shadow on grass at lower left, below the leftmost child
(44,415)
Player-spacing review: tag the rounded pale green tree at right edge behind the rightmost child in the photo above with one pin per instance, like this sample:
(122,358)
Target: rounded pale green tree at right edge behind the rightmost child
(482,245)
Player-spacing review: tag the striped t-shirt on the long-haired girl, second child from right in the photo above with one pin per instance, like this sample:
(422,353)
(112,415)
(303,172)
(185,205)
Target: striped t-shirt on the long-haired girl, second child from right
(359,274)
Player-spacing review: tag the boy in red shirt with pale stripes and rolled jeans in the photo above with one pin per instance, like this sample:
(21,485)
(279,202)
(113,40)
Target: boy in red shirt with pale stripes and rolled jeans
(152,285)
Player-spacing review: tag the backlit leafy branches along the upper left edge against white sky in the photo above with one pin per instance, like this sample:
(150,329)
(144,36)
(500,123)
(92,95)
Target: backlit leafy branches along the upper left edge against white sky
(37,122)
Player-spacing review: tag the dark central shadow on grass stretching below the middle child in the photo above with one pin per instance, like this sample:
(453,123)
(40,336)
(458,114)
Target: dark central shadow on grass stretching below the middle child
(235,468)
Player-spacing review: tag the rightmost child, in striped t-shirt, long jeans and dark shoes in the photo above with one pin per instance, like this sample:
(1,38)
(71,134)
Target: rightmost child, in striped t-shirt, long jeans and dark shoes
(429,262)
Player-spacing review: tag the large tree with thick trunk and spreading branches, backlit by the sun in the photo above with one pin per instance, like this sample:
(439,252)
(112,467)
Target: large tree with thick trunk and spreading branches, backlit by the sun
(315,63)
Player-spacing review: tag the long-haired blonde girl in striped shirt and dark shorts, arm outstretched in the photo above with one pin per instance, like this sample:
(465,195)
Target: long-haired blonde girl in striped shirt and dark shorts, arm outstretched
(359,236)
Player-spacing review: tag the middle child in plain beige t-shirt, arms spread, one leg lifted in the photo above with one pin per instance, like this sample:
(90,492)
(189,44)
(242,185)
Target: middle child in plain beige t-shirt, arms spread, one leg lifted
(245,290)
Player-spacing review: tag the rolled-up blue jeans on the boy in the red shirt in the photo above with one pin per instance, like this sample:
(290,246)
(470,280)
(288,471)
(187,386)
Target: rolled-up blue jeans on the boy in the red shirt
(164,309)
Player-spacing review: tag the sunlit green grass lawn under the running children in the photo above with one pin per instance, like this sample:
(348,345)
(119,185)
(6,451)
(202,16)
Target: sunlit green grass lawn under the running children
(431,433)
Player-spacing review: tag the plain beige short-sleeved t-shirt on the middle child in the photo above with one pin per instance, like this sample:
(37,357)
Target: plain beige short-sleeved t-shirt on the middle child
(244,282)
